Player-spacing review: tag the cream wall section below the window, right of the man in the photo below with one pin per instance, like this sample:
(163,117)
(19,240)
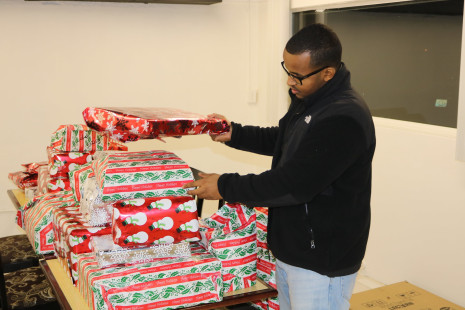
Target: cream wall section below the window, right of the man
(418,209)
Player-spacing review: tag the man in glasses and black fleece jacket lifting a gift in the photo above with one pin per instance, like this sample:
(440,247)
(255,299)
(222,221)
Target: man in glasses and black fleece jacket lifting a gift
(319,186)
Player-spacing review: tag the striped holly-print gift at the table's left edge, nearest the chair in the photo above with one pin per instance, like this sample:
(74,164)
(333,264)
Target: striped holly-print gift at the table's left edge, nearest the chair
(38,219)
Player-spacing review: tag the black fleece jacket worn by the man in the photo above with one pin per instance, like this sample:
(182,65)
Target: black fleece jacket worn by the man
(319,186)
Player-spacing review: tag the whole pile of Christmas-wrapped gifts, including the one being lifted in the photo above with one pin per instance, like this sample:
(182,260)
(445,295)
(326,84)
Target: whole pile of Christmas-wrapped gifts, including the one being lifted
(123,227)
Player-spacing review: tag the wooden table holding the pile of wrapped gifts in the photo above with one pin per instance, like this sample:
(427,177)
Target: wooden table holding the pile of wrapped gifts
(70,298)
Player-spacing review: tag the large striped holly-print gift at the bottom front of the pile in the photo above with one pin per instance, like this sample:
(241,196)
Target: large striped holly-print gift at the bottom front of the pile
(164,284)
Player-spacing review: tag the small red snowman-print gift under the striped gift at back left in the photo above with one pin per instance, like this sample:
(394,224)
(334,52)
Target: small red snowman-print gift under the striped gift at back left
(61,163)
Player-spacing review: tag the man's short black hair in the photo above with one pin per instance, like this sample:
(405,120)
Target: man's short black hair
(320,41)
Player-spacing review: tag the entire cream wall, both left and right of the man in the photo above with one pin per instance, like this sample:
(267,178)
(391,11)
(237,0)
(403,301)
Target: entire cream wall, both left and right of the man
(58,58)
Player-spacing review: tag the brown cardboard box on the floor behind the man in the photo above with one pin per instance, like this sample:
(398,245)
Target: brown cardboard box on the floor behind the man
(402,295)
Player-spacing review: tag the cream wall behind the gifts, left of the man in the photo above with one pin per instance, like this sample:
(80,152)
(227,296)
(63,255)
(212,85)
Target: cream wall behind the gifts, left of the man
(56,58)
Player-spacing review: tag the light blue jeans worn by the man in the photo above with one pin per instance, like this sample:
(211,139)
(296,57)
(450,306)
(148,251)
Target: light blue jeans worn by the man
(302,289)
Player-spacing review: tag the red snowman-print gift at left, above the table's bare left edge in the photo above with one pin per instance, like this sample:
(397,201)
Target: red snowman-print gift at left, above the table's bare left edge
(73,235)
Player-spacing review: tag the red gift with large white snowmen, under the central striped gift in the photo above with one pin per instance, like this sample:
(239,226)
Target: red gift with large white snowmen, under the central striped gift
(159,220)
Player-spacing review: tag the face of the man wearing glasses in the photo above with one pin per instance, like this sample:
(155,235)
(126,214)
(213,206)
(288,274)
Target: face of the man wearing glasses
(299,66)
